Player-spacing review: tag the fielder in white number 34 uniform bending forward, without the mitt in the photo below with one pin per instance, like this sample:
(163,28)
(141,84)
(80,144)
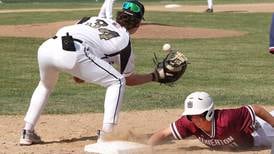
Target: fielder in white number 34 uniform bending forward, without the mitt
(87,50)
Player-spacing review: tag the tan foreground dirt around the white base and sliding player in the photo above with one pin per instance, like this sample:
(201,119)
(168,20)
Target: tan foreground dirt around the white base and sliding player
(68,134)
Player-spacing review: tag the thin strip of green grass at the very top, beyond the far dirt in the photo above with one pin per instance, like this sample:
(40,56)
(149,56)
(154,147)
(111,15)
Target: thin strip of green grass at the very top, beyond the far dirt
(34,4)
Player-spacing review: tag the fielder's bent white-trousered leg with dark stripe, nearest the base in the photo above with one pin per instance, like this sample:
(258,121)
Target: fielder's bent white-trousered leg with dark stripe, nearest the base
(104,74)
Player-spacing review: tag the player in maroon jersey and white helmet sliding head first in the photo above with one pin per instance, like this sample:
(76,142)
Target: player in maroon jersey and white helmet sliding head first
(242,127)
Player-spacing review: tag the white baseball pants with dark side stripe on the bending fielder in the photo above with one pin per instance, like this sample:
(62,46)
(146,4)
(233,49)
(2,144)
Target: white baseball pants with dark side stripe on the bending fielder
(53,59)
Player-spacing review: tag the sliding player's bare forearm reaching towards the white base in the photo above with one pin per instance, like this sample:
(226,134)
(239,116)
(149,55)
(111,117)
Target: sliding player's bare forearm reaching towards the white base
(159,136)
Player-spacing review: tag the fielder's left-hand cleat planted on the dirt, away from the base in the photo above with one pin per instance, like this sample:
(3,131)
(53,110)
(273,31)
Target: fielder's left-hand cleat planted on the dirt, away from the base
(29,137)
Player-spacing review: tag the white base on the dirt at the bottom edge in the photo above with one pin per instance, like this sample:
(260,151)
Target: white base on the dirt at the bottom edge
(118,147)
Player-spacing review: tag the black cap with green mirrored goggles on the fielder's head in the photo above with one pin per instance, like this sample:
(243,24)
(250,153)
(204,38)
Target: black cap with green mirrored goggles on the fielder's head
(134,8)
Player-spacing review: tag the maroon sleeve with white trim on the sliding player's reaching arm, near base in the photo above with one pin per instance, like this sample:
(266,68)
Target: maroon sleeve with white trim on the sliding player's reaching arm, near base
(182,128)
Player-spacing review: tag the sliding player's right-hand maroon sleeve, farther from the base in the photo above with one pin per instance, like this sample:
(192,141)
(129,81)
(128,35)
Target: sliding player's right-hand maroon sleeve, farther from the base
(240,119)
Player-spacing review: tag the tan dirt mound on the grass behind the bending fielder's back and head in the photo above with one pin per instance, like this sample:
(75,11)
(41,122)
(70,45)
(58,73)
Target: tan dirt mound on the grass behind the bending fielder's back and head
(148,31)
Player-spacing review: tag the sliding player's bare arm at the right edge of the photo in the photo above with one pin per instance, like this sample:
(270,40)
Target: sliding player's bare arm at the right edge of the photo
(263,114)
